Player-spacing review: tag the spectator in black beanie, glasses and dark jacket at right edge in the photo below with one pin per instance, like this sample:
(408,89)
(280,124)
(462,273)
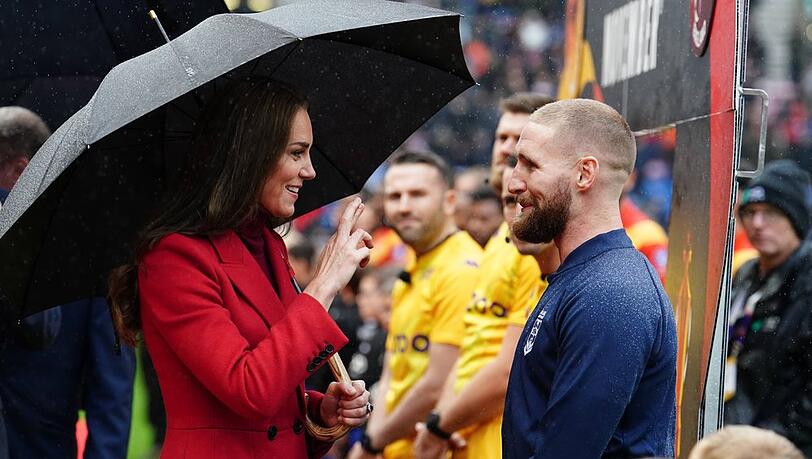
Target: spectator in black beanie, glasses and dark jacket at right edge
(768,380)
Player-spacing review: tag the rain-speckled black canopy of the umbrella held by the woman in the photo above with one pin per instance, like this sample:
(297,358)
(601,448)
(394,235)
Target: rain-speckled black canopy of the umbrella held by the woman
(374,72)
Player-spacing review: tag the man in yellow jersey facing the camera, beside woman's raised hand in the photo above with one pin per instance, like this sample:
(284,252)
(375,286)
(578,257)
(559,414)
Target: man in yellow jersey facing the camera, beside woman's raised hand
(426,325)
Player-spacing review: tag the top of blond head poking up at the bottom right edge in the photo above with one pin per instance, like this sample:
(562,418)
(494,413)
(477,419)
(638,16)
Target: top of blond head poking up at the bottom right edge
(745,442)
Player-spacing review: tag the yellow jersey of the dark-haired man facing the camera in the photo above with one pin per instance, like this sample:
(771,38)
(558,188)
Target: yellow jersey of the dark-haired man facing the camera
(427,309)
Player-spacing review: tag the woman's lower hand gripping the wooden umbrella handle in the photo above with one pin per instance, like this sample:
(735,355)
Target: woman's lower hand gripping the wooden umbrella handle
(345,404)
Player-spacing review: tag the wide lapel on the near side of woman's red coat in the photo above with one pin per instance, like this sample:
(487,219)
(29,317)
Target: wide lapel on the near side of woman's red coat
(247,277)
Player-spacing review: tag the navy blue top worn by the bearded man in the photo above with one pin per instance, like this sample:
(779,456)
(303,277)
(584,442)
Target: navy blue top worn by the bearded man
(594,372)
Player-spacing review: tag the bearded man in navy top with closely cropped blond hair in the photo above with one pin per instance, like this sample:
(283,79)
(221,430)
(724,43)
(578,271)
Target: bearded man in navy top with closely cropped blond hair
(594,370)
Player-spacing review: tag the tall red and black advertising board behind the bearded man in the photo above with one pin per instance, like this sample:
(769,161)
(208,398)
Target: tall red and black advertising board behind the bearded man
(675,64)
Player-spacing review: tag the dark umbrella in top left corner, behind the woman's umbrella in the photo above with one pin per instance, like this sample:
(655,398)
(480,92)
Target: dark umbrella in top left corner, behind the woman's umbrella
(55,53)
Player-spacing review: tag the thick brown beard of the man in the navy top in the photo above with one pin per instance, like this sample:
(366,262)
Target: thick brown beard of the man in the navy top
(543,224)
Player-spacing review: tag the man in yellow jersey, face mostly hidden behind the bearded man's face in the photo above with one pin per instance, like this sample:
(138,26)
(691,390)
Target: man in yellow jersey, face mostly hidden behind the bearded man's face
(512,279)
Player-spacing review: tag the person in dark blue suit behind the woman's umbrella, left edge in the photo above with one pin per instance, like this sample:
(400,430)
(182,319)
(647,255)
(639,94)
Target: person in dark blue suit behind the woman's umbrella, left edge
(56,362)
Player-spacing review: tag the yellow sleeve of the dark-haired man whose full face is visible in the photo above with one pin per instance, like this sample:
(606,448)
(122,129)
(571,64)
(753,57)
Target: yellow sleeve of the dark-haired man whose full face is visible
(453,292)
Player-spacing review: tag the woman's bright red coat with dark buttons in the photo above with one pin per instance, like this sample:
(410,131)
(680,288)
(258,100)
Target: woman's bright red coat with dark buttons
(230,352)
